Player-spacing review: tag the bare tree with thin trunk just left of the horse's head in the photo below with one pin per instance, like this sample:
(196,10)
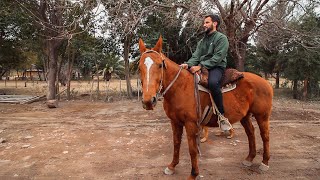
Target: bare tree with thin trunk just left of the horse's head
(127,16)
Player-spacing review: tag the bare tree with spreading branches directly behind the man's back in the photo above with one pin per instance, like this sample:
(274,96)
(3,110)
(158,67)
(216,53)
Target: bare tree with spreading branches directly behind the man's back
(242,19)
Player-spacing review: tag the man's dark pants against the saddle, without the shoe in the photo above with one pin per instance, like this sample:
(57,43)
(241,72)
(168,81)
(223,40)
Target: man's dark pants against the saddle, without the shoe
(214,81)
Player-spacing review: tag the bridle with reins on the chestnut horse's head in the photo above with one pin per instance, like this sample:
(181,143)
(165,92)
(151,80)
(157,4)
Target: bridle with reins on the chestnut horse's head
(163,65)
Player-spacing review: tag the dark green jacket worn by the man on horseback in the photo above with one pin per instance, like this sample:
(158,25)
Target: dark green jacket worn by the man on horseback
(211,51)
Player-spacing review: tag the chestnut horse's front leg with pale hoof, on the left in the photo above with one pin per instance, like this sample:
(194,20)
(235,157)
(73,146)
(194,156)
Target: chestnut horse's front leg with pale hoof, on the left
(177,130)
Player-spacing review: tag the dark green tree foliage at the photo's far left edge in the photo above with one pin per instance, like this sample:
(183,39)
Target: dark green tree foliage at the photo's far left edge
(15,31)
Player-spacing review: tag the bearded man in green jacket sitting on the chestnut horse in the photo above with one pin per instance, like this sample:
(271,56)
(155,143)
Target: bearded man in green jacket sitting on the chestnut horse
(211,54)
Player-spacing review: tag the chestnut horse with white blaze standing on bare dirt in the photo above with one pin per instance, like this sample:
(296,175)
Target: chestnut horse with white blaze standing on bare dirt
(253,96)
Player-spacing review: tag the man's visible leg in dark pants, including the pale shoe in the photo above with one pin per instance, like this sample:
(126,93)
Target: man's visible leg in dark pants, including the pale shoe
(214,80)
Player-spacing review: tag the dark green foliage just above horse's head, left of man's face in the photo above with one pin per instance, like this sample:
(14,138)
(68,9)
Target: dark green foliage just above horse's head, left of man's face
(178,38)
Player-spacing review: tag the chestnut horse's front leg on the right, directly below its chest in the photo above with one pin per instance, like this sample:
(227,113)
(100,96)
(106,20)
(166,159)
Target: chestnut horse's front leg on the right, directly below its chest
(192,132)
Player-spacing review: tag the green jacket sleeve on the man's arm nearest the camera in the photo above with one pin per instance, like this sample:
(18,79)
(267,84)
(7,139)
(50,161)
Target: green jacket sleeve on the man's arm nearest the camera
(218,55)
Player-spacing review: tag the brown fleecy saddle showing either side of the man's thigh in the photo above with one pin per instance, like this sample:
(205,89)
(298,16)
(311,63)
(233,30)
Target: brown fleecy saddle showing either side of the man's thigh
(230,76)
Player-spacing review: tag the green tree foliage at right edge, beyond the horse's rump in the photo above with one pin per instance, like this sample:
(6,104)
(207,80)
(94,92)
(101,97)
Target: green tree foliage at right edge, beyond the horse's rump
(293,50)
